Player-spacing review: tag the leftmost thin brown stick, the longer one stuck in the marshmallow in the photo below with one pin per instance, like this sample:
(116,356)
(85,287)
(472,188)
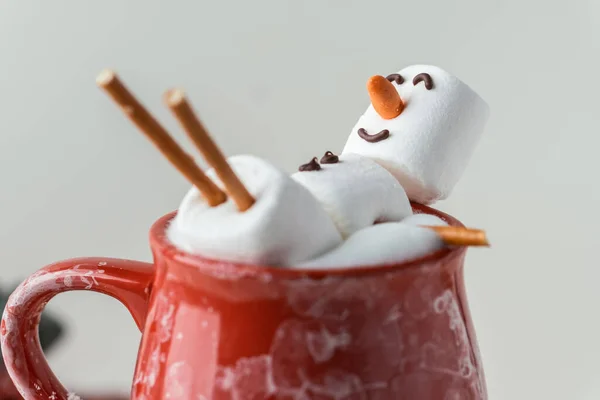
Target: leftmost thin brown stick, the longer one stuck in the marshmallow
(145,122)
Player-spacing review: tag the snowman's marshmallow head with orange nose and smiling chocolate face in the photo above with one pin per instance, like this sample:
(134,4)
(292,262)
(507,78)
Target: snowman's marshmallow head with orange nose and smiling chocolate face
(422,125)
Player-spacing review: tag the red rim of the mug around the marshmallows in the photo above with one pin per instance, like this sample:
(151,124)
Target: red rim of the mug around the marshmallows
(160,243)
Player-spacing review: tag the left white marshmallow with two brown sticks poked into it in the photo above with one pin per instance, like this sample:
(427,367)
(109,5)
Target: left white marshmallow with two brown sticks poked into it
(285,225)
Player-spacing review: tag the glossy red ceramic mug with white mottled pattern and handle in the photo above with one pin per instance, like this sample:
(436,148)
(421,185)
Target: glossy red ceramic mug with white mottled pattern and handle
(226,331)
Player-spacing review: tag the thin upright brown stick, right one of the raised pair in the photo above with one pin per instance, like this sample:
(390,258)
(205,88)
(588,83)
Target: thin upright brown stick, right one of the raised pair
(181,108)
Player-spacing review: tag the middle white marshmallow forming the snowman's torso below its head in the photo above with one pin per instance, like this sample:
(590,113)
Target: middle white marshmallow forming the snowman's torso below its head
(356,192)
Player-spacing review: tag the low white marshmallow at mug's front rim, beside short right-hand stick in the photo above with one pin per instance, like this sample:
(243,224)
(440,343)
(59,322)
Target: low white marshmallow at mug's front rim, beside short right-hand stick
(391,242)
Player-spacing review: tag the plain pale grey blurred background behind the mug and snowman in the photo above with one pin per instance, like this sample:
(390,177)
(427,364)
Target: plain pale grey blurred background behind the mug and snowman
(286,80)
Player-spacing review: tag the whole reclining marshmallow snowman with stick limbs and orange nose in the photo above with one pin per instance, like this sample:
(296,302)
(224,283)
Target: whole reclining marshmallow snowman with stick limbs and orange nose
(411,137)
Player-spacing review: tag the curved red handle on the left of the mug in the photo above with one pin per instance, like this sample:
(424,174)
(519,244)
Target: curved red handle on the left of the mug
(128,281)
